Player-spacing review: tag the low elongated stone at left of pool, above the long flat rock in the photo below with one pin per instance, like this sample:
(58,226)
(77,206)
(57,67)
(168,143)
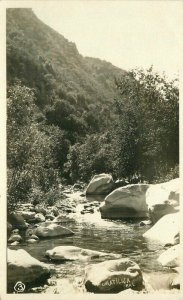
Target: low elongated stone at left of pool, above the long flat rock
(52,230)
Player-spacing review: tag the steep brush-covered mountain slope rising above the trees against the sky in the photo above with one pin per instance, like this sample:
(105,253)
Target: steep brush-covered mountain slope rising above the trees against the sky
(43,59)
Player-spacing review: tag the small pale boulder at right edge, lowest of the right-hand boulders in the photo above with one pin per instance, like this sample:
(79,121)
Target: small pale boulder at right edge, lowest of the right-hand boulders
(170,257)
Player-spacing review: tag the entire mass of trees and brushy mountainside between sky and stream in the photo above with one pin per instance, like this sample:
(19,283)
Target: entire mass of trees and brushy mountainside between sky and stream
(70,117)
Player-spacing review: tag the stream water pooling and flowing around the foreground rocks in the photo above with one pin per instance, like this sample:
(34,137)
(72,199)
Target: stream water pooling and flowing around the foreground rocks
(91,232)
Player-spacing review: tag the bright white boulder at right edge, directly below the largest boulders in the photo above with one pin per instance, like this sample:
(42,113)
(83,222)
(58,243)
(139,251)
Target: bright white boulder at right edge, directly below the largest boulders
(165,230)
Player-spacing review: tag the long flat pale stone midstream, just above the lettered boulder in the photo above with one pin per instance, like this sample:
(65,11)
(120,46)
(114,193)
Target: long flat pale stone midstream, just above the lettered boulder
(76,253)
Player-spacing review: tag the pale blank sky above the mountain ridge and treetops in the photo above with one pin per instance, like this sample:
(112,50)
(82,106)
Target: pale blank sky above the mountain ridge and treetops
(127,34)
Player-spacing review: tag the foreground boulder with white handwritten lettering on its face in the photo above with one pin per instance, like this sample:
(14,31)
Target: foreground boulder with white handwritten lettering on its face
(113,276)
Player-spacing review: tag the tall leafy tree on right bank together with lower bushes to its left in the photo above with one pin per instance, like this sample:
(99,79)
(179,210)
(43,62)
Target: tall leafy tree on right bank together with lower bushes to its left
(142,141)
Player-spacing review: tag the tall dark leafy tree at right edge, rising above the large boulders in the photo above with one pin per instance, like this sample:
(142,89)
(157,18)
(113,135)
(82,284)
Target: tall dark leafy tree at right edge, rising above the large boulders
(148,119)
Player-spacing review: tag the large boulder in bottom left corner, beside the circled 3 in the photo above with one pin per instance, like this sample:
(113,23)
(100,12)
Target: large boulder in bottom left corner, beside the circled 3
(22,267)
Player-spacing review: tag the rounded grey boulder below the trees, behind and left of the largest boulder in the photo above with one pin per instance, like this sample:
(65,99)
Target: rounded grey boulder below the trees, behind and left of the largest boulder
(101,184)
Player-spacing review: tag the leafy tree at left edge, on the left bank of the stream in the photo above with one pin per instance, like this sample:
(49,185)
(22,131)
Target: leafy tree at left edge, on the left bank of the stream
(30,159)
